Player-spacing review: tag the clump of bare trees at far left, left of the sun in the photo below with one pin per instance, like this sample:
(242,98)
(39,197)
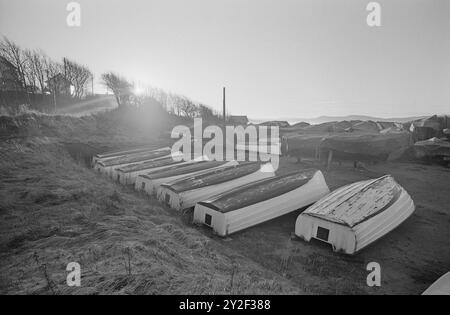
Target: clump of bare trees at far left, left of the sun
(33,72)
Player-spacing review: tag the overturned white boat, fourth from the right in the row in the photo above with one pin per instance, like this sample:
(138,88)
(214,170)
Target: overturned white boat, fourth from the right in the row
(151,181)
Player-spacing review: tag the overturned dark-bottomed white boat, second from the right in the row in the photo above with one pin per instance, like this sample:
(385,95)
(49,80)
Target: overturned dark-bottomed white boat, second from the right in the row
(261,201)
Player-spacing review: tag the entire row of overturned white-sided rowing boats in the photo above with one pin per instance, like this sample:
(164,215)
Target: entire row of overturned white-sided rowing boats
(231,196)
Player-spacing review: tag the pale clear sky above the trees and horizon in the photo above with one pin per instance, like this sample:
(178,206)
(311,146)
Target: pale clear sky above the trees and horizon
(276,58)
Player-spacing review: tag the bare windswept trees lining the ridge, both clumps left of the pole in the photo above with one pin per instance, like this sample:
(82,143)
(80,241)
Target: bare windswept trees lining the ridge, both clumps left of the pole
(31,73)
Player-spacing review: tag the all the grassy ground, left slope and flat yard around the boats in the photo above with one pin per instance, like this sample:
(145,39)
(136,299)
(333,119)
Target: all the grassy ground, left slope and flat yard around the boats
(55,210)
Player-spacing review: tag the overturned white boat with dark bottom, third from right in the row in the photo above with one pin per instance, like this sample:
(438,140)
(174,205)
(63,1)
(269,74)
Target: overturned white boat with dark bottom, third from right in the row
(186,192)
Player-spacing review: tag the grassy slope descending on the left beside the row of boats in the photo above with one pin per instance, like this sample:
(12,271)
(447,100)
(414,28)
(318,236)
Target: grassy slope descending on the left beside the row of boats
(53,211)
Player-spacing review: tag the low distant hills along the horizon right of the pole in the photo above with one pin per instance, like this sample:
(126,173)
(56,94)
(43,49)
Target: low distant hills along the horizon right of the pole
(324,119)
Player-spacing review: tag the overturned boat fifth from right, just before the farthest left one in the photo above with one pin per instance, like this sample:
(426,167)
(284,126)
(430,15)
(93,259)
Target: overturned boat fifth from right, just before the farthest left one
(127,175)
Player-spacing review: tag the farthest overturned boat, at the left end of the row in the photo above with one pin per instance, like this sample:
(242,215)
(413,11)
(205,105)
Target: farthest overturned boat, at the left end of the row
(108,166)
